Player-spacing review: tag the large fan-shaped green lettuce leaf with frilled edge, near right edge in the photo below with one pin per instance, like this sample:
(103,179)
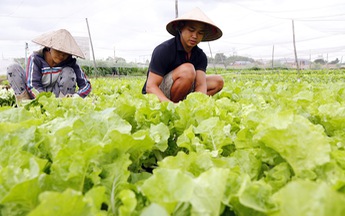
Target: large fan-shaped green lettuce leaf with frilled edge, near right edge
(302,144)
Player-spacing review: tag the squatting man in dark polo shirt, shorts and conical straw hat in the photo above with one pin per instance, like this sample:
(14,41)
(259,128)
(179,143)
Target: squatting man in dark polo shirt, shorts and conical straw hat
(178,66)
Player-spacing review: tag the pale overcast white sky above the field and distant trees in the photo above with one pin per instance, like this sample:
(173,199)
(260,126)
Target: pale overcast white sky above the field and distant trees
(132,28)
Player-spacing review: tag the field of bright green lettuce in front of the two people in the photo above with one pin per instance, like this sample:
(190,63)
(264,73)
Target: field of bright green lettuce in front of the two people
(267,144)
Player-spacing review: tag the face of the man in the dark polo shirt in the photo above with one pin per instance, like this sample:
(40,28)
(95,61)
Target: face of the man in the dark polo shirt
(192,33)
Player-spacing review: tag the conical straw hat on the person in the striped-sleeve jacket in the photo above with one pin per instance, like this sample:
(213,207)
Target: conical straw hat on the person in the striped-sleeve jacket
(60,40)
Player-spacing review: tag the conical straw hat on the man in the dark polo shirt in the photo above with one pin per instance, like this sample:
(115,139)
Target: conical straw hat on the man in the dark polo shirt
(196,14)
